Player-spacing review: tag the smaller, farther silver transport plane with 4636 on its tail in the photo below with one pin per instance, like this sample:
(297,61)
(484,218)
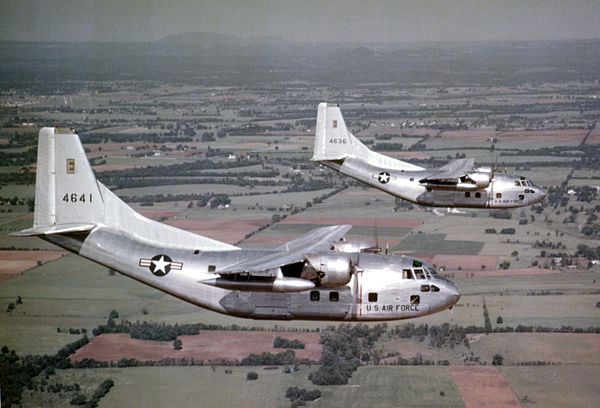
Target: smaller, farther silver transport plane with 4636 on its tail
(457,184)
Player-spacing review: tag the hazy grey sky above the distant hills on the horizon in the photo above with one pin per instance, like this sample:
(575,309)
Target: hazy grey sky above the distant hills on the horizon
(302,20)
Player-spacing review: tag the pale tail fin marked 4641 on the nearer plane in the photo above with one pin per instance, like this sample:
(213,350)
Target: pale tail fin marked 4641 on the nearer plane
(68,198)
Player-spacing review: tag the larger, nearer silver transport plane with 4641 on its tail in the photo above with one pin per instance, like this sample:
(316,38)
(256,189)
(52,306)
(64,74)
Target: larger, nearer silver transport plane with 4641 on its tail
(310,277)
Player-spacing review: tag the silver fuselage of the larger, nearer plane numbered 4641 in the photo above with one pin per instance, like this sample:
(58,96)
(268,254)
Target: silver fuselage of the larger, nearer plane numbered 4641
(383,287)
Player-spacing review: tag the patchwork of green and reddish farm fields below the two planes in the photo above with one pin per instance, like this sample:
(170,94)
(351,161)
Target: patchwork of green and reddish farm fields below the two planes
(227,155)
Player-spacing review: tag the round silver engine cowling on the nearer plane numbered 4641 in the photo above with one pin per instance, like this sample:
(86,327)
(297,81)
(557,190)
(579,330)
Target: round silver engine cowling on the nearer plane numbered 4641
(330,269)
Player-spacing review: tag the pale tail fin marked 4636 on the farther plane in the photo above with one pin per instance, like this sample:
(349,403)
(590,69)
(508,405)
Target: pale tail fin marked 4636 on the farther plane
(333,142)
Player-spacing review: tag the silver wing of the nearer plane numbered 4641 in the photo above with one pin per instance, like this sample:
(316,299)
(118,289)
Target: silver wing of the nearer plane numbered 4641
(292,252)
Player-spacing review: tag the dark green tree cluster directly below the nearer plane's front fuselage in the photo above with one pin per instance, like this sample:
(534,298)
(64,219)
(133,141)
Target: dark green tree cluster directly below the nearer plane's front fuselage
(343,348)
